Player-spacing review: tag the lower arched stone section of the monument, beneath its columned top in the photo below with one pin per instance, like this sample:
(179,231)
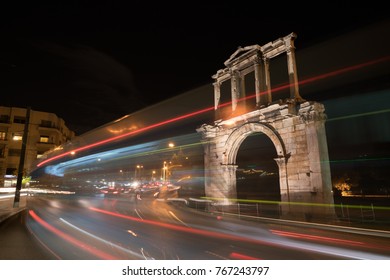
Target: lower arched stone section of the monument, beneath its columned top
(300,143)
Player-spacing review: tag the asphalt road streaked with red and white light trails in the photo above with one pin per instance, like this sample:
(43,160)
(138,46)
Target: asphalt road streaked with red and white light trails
(93,228)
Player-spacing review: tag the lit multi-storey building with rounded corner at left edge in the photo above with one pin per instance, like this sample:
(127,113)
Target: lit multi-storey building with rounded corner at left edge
(45,131)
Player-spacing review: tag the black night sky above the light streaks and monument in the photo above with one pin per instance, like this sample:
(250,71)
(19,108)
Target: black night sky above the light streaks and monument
(92,62)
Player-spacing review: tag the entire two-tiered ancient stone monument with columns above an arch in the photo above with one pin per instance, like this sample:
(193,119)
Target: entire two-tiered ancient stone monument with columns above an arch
(295,126)
